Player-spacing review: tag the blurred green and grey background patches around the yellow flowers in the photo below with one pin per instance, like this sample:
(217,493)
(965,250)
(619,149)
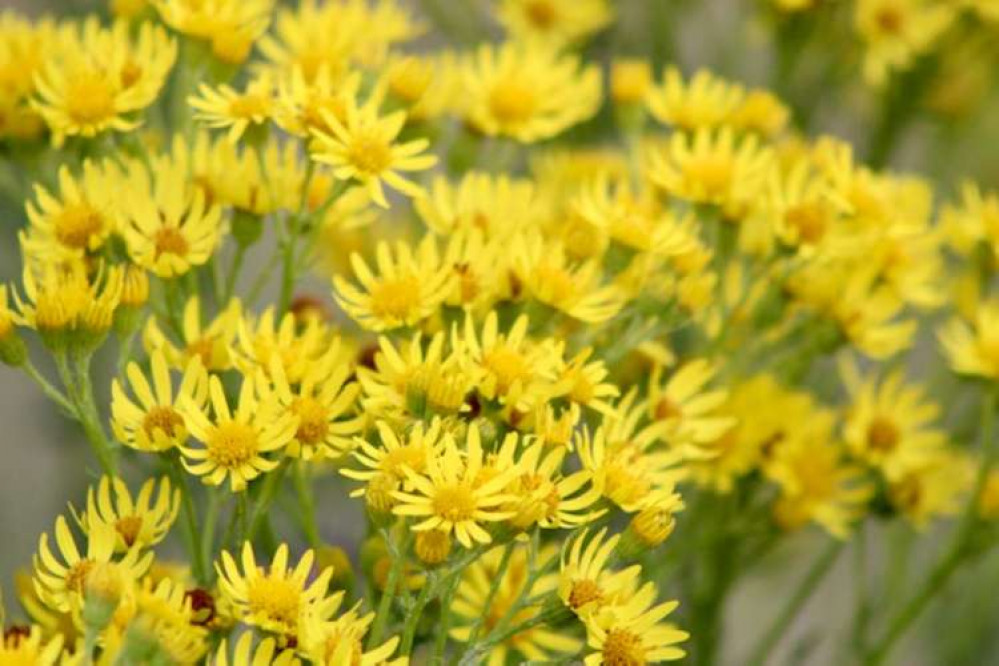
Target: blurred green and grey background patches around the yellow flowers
(41,455)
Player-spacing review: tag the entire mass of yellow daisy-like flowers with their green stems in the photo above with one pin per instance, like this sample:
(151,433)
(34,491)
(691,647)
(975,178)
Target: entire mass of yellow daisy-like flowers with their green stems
(573,346)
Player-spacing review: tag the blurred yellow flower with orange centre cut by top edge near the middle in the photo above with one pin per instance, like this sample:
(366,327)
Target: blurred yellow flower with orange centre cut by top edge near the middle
(554,21)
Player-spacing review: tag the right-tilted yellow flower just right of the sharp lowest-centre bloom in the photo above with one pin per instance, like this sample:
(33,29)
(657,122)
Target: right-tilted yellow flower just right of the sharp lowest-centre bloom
(544,496)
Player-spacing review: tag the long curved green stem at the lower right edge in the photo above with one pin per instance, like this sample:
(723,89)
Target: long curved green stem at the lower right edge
(957,552)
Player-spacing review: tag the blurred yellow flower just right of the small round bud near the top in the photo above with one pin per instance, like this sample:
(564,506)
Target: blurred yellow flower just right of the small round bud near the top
(705,101)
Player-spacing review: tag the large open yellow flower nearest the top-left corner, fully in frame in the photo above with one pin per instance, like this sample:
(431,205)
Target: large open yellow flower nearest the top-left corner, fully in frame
(96,79)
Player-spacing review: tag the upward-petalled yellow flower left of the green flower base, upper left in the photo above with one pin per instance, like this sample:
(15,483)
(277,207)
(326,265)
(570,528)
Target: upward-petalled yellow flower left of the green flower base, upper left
(168,226)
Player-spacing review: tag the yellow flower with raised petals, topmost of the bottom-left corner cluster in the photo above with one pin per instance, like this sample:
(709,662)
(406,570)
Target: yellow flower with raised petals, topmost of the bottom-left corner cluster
(140,523)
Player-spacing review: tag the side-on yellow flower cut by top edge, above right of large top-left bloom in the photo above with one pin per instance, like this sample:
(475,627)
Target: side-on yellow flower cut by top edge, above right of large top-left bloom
(229,26)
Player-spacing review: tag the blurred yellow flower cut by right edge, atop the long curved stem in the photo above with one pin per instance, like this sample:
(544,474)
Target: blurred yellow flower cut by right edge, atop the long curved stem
(972,348)
